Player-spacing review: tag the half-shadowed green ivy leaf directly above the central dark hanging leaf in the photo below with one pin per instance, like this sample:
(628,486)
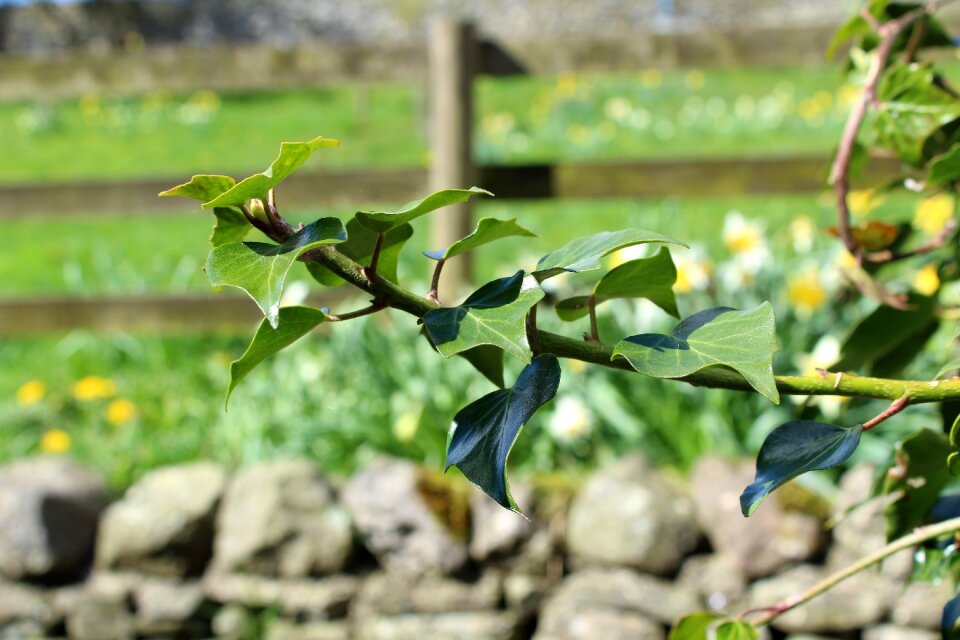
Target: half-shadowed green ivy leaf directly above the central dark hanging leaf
(494,314)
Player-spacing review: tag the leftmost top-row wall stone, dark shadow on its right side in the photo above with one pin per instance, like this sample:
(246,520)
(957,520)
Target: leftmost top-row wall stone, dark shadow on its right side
(49,508)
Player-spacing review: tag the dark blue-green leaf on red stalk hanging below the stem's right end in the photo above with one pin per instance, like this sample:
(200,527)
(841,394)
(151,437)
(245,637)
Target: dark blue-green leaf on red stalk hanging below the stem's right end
(794,448)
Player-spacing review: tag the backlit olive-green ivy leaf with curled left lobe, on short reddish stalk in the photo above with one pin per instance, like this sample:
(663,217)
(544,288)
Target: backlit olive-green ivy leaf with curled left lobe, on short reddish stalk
(650,278)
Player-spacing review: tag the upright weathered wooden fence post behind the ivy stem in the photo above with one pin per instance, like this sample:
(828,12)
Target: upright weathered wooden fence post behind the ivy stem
(453,63)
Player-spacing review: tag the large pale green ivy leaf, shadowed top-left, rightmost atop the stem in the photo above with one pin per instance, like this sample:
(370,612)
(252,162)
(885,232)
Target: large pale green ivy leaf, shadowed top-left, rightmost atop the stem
(744,341)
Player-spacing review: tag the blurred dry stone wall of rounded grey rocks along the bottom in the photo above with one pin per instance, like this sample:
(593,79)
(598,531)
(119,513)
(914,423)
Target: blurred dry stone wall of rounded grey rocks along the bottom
(281,551)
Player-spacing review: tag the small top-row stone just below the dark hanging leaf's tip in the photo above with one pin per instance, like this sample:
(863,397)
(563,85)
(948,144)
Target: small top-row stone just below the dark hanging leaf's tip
(494,530)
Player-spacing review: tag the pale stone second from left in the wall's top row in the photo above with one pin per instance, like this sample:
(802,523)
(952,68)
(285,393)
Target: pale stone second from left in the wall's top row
(164,523)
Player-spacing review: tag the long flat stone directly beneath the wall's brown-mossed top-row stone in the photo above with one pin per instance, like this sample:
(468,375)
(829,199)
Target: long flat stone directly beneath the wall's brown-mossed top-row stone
(390,595)
